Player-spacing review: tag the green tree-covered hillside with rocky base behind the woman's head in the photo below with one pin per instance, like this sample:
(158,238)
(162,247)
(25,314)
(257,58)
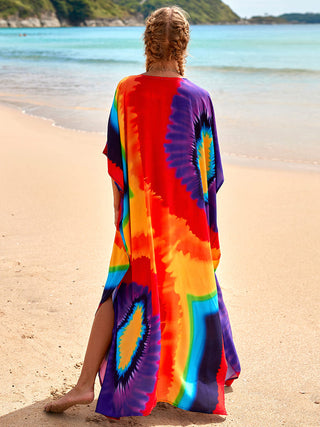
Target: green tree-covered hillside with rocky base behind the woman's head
(79,12)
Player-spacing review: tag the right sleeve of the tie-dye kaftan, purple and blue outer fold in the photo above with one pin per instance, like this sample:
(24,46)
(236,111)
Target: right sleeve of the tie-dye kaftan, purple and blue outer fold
(216,170)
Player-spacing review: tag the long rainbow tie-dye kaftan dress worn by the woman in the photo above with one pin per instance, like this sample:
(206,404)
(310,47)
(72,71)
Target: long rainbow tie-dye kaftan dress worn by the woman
(171,340)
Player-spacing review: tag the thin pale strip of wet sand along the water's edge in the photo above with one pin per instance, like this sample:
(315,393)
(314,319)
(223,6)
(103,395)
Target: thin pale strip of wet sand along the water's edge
(230,158)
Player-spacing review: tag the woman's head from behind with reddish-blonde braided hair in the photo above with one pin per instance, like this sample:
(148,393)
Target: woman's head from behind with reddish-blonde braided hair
(166,38)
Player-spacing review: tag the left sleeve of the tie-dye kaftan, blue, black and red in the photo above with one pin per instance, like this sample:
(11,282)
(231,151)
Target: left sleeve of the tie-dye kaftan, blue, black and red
(113,149)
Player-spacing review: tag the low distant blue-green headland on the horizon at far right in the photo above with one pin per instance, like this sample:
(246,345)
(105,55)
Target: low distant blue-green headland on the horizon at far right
(286,18)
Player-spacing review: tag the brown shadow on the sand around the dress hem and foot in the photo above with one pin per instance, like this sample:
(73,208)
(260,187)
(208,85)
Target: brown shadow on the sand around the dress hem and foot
(82,415)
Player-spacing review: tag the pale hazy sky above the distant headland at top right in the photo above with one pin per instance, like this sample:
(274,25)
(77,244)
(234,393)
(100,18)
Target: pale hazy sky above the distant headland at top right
(272,7)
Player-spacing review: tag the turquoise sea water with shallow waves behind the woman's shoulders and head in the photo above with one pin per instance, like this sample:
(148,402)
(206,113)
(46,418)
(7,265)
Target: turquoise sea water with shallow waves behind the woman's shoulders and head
(264,81)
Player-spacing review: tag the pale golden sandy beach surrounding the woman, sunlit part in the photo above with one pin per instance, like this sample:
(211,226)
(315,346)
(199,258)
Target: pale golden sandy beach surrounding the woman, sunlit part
(56,223)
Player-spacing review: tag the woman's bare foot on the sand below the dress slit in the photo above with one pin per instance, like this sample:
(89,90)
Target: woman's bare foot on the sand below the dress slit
(76,396)
